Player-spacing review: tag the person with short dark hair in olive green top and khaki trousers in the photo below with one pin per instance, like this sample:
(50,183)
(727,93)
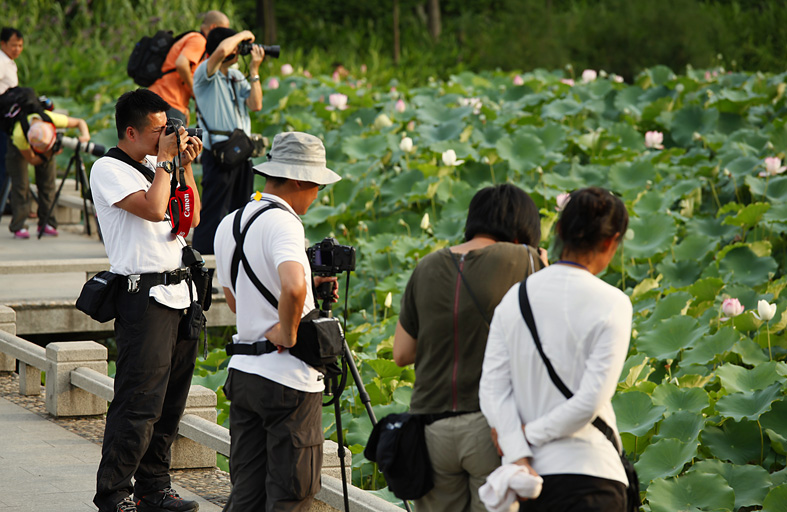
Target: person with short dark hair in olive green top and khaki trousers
(443,326)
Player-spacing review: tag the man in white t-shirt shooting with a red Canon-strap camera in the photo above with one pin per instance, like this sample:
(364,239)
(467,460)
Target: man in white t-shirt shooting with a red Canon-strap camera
(131,190)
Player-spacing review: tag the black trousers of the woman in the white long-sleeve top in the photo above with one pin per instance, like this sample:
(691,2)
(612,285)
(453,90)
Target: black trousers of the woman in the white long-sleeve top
(577,493)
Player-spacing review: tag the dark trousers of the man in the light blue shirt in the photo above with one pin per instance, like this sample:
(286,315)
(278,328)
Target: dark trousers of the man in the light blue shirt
(222,192)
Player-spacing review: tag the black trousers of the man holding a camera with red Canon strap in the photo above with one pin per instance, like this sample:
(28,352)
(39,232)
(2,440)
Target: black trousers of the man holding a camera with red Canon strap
(154,369)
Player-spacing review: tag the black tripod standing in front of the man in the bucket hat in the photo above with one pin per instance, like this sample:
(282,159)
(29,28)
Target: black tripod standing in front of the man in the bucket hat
(325,293)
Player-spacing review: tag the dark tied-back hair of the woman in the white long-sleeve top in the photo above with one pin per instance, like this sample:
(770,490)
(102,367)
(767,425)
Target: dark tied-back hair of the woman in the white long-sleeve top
(592,215)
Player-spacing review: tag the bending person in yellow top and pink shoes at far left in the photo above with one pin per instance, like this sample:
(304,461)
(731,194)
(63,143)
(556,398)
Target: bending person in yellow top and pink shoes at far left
(36,148)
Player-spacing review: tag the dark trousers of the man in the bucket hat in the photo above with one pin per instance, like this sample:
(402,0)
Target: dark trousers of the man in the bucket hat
(276,449)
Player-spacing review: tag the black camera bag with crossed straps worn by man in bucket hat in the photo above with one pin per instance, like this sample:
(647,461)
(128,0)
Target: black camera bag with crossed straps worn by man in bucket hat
(320,340)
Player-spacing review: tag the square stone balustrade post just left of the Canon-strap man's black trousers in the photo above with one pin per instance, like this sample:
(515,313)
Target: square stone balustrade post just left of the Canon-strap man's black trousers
(62,397)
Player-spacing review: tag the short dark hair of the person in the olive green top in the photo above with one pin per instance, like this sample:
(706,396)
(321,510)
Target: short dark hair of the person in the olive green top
(506,213)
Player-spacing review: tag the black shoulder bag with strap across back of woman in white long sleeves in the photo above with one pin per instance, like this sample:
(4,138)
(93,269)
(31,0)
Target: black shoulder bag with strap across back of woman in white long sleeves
(633,501)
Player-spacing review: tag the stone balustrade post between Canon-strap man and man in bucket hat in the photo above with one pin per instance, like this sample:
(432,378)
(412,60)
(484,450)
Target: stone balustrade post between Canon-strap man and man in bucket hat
(188,454)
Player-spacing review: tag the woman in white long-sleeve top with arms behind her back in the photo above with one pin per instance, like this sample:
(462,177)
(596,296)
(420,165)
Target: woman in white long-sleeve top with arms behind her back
(584,325)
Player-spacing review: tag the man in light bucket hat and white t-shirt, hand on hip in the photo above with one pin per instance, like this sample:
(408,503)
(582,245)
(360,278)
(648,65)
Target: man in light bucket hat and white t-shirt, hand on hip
(275,414)
